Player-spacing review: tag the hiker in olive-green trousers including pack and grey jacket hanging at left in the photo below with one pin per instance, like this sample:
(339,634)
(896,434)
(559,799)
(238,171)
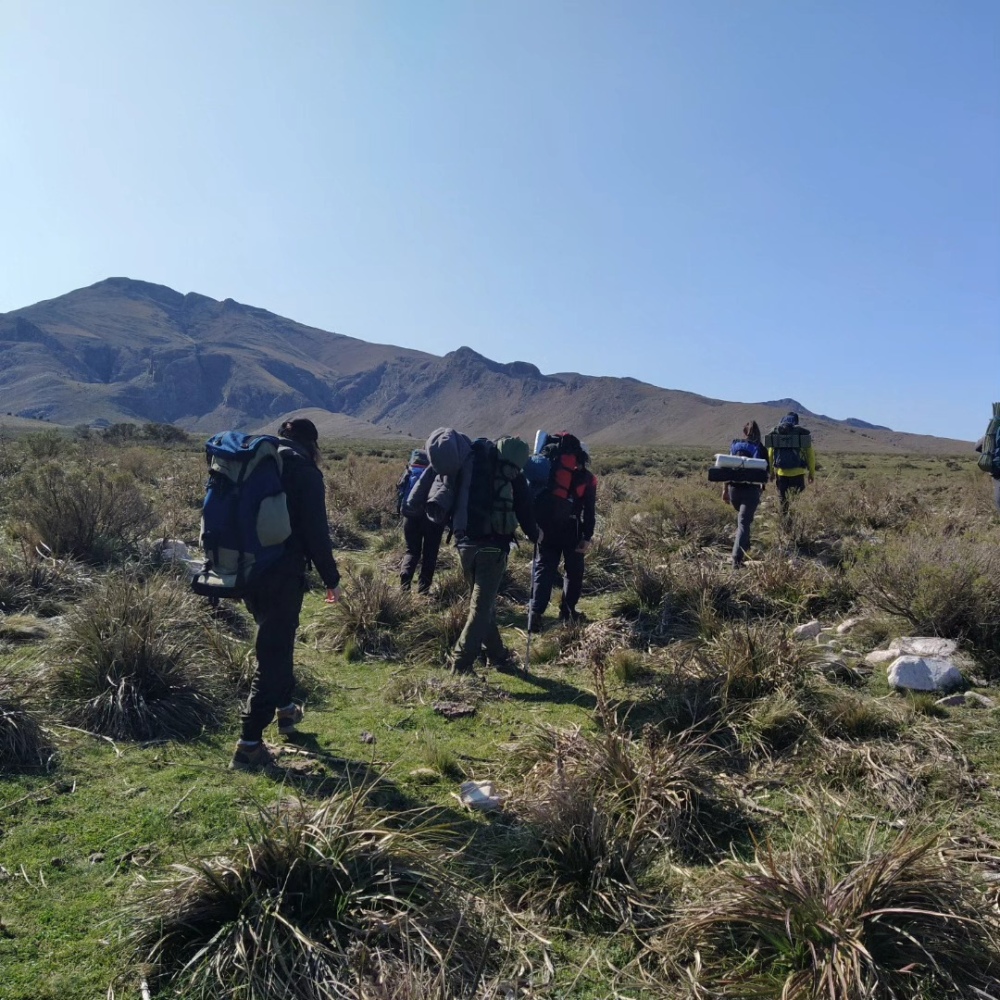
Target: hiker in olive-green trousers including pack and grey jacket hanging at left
(478,491)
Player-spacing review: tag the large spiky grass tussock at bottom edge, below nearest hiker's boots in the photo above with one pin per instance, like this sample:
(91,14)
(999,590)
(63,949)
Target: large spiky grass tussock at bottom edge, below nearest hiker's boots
(317,905)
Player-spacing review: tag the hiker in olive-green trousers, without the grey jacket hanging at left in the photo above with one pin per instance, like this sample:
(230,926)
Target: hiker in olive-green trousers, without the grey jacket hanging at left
(499,500)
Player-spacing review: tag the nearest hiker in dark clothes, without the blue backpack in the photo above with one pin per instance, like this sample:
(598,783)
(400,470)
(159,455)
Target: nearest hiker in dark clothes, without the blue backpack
(275,598)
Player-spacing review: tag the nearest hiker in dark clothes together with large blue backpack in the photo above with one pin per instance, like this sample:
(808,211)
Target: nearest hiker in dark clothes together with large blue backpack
(263,522)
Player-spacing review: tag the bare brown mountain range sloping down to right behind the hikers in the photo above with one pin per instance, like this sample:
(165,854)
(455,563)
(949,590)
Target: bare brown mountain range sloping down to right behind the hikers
(130,350)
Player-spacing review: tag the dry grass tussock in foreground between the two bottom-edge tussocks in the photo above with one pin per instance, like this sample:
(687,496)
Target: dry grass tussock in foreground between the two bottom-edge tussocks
(596,812)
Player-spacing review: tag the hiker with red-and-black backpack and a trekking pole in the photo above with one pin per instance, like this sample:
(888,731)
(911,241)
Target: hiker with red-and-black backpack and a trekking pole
(564,505)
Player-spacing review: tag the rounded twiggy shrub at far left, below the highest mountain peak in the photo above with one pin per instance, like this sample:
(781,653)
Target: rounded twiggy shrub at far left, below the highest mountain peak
(84,514)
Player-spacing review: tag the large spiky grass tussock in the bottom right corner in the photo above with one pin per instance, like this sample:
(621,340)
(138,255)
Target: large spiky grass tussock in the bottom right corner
(833,918)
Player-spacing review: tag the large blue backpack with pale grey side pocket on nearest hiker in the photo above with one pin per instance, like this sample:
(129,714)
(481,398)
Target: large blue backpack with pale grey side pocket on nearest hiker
(244,518)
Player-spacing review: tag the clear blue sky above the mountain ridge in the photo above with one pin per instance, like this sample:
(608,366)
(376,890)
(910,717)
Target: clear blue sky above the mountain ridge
(749,199)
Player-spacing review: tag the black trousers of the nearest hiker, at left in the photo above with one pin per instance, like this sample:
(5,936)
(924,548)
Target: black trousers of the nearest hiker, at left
(275,603)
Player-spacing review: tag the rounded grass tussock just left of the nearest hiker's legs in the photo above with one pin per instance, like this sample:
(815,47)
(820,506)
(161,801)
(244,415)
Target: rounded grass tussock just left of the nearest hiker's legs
(132,663)
